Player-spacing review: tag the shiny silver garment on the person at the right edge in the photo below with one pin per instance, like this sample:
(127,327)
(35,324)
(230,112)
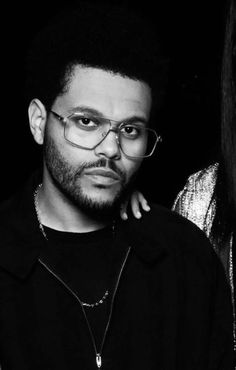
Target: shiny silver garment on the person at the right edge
(195,202)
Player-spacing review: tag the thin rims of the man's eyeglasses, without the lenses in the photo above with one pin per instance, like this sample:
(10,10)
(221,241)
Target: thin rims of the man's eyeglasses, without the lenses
(64,120)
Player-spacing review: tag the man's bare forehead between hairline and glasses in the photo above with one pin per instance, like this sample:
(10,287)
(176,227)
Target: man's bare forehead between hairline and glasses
(112,94)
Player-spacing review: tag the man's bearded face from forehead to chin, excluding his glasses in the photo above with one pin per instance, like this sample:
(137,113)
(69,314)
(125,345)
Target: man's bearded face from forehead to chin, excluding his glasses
(94,179)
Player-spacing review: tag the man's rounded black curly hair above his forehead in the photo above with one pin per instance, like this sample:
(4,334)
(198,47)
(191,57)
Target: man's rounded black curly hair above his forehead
(93,35)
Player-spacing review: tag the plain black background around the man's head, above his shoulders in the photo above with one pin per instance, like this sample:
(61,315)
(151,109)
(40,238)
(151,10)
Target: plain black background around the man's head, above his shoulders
(189,121)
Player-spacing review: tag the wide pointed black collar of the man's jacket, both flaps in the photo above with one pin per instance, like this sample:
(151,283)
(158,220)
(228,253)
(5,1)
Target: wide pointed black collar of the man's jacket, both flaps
(22,241)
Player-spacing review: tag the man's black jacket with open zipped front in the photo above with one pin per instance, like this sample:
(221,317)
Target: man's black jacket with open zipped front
(172,307)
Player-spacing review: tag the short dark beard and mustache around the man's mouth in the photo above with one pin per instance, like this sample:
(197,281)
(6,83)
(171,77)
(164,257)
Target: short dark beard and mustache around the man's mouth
(67,179)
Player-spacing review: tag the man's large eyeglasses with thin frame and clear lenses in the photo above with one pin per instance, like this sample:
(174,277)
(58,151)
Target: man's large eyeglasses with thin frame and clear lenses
(87,131)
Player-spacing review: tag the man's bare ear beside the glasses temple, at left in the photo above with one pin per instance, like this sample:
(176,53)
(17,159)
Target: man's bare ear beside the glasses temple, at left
(37,119)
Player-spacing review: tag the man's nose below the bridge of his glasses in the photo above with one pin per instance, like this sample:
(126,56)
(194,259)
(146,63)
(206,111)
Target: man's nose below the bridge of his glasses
(109,147)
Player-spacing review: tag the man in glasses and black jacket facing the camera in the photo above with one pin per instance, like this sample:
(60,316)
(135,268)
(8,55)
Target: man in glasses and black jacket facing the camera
(81,289)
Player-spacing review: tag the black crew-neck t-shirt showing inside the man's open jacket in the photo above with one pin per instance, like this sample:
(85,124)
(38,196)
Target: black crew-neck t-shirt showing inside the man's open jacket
(83,261)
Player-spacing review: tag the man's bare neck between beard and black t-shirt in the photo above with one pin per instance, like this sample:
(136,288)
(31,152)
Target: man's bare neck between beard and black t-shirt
(59,213)
